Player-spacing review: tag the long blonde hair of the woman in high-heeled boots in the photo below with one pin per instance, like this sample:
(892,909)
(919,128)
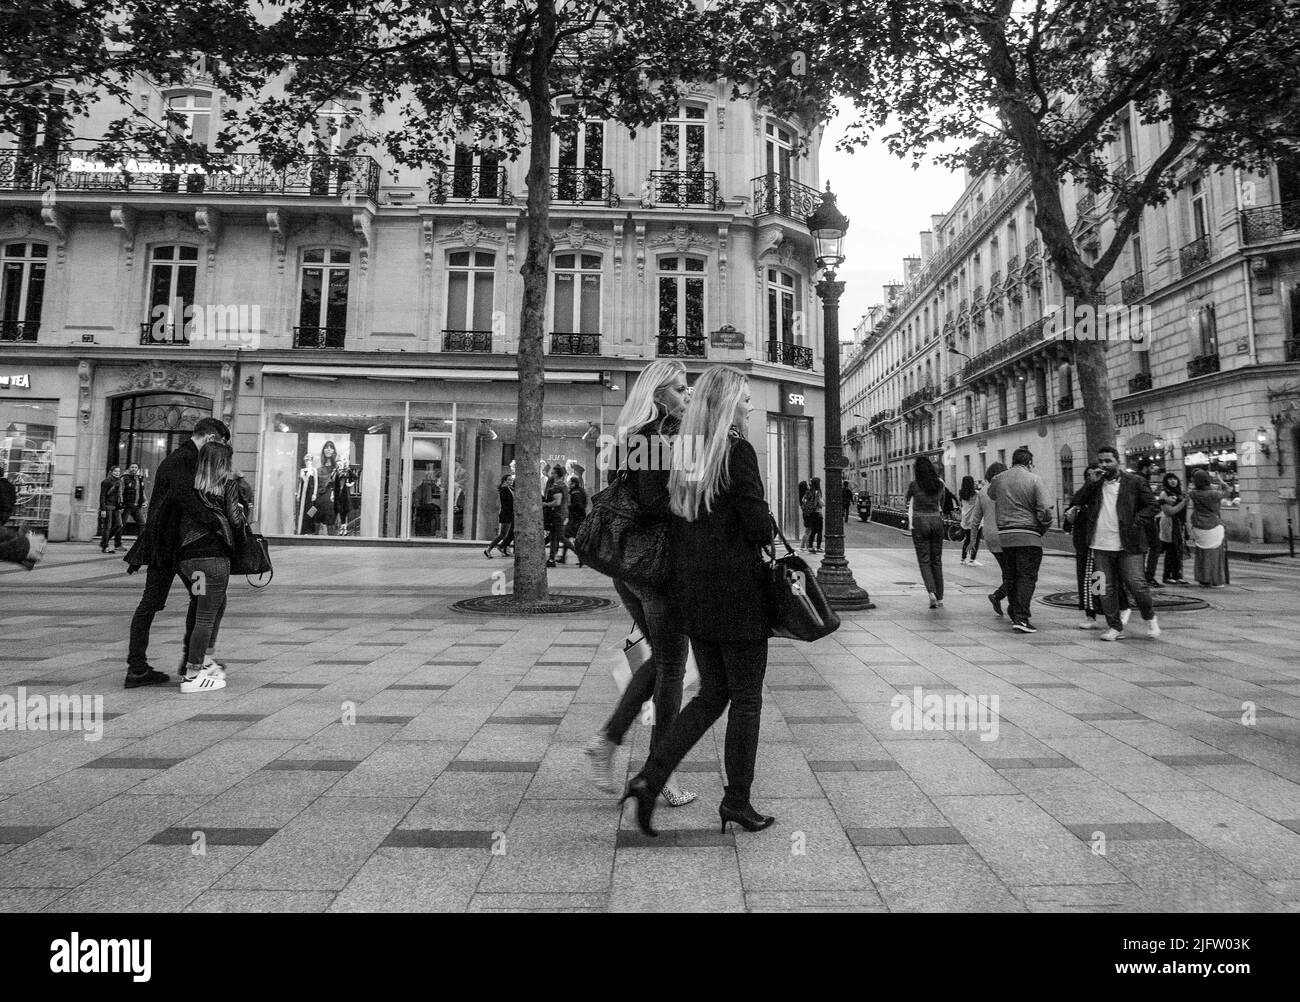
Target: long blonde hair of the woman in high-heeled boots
(700,454)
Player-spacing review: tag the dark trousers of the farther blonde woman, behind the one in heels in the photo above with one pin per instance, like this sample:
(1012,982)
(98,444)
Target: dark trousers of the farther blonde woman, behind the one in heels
(662,674)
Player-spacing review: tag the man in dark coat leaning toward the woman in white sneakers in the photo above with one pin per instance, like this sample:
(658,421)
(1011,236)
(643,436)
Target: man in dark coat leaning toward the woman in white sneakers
(175,475)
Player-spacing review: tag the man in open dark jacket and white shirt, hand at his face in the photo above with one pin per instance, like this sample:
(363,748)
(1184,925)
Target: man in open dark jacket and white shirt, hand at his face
(1119,509)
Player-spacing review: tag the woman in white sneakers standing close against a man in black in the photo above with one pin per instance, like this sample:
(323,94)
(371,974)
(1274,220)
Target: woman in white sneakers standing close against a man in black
(205,526)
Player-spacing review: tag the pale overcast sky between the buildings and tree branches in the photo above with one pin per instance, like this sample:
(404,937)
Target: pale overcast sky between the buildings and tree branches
(889,205)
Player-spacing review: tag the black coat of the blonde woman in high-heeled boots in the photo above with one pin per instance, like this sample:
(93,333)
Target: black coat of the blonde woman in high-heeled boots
(718,579)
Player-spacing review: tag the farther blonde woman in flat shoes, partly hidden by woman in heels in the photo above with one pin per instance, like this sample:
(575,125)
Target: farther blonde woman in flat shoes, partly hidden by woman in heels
(647,427)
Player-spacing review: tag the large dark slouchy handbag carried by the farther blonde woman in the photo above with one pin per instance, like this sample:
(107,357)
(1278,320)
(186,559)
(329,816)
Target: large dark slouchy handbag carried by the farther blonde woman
(616,540)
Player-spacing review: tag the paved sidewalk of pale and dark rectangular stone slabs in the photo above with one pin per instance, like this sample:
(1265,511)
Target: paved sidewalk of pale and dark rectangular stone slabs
(378,752)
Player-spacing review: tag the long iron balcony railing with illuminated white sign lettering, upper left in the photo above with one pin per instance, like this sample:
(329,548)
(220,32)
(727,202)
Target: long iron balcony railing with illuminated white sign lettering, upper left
(228,175)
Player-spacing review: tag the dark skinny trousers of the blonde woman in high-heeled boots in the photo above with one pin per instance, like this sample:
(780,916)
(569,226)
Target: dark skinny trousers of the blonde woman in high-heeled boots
(729,674)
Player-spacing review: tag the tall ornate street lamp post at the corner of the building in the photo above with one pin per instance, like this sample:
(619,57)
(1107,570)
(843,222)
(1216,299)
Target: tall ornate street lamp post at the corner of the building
(829,225)
